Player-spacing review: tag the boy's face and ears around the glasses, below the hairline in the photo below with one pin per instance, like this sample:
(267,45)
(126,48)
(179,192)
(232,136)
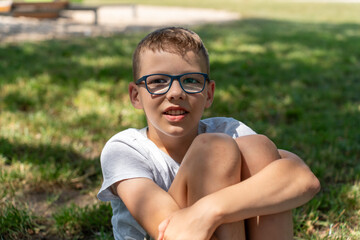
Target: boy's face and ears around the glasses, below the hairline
(174,113)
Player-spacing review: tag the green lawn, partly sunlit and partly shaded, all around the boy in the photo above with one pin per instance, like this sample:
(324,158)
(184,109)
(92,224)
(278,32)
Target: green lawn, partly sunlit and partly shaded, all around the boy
(288,70)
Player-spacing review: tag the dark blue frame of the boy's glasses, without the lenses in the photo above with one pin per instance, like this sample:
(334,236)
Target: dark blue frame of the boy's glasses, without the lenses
(172,78)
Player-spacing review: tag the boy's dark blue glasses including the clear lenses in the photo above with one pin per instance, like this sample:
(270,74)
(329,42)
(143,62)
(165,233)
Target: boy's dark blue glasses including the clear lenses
(158,84)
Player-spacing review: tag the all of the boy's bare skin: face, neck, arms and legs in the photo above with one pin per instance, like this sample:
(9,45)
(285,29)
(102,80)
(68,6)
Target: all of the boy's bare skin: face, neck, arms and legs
(254,184)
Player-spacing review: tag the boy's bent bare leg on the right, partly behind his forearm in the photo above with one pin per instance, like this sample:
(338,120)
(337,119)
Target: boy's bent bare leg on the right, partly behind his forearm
(277,226)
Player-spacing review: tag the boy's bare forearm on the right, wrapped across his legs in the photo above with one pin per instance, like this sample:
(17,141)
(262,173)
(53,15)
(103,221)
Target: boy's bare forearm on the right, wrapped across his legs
(285,184)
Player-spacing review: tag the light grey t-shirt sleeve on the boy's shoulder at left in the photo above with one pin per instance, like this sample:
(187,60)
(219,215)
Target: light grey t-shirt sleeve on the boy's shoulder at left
(120,161)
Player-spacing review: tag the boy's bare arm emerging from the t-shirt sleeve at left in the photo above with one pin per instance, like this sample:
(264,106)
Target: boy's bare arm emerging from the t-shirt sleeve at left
(147,202)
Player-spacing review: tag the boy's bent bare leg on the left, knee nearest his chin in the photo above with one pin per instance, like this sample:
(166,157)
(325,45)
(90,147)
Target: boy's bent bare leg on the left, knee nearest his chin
(212,162)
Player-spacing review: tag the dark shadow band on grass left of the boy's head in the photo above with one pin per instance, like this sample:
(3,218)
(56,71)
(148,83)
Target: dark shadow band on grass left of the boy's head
(68,62)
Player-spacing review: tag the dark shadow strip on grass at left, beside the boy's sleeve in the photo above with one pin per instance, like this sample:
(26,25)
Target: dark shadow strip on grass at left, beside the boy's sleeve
(54,164)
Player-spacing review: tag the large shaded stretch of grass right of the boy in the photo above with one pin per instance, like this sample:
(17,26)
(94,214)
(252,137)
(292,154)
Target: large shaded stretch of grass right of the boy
(296,82)
